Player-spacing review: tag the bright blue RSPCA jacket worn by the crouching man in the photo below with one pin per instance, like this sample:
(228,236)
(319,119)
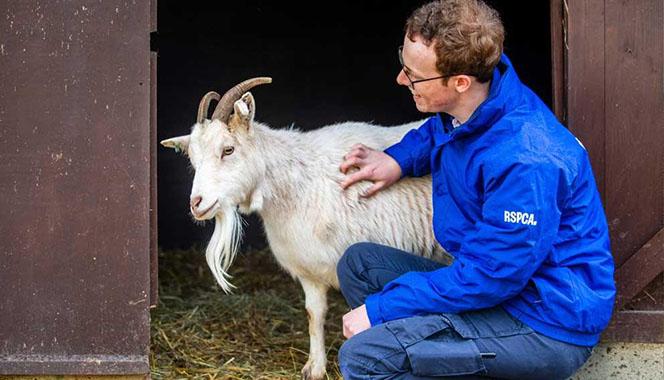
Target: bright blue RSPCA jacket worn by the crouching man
(516,204)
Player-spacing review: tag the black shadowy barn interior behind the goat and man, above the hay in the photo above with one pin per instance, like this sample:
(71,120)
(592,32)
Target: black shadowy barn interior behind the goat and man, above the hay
(330,62)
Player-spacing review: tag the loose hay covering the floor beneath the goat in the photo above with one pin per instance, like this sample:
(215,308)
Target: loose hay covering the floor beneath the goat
(259,332)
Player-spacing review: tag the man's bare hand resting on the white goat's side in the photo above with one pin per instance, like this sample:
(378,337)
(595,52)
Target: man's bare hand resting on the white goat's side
(374,165)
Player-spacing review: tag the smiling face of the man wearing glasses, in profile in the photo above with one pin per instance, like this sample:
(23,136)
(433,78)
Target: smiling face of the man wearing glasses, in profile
(420,63)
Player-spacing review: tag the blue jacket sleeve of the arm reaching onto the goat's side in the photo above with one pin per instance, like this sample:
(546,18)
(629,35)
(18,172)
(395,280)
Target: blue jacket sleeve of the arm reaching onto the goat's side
(413,152)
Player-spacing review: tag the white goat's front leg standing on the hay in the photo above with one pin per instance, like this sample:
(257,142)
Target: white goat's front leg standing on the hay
(315,299)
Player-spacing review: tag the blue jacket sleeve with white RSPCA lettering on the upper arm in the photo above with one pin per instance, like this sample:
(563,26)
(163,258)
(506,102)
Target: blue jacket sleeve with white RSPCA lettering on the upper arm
(519,222)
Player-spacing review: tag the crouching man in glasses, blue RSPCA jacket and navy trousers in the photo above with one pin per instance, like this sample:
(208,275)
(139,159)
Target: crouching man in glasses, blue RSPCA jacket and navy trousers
(515,203)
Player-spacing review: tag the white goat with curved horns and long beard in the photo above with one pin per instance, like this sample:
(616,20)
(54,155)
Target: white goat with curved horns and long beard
(291,179)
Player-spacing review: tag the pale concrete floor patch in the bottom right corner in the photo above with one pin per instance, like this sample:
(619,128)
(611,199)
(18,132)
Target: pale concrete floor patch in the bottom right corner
(624,361)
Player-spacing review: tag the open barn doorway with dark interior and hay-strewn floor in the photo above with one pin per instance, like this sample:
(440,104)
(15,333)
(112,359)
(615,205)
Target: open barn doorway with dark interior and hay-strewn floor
(330,62)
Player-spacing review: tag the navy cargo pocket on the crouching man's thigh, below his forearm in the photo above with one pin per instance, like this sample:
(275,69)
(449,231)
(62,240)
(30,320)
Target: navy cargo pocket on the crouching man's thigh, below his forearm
(435,348)
